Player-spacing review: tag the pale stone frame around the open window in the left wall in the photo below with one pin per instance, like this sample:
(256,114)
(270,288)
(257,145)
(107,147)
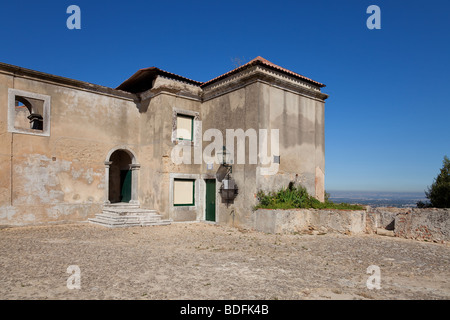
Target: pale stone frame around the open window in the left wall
(12,94)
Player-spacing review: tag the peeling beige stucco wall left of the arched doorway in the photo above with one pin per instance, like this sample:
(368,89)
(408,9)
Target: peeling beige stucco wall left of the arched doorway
(61,177)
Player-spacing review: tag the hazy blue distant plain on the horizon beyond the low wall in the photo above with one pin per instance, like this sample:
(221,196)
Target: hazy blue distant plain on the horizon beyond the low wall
(378,199)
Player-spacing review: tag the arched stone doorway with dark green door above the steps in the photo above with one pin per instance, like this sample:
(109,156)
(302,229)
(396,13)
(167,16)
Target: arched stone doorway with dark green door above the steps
(121,173)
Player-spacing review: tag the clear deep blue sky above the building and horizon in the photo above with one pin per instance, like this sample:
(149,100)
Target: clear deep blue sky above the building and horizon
(387,118)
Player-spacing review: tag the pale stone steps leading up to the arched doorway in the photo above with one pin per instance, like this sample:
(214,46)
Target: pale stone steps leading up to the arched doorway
(118,215)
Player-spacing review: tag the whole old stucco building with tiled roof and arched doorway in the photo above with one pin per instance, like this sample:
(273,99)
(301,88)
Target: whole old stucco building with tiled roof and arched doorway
(71,150)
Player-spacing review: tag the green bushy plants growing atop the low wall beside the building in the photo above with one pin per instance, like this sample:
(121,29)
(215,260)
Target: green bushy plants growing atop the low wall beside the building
(297,197)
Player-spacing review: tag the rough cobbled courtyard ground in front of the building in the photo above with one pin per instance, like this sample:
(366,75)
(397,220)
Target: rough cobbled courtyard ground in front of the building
(204,261)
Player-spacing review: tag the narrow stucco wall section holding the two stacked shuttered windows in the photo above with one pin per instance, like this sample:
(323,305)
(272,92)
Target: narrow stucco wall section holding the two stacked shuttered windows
(156,144)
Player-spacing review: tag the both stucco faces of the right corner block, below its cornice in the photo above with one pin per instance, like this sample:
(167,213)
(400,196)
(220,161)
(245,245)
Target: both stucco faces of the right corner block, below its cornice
(253,104)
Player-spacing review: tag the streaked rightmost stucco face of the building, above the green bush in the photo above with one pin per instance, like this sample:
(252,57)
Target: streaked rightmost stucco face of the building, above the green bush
(299,119)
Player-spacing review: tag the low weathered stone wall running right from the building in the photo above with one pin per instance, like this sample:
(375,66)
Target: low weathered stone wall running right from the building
(413,223)
